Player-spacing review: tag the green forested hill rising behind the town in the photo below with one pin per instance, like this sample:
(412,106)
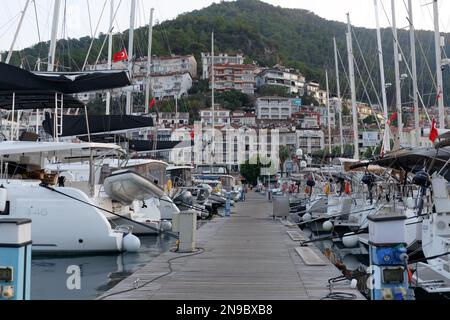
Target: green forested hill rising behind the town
(265,34)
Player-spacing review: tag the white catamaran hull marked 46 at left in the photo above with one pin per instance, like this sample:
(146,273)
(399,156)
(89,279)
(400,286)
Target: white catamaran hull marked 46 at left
(60,223)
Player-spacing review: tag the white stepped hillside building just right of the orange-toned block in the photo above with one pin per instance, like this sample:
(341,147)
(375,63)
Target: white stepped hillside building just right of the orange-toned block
(290,79)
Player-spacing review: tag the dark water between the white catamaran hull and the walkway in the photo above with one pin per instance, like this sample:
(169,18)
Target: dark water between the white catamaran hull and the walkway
(98,273)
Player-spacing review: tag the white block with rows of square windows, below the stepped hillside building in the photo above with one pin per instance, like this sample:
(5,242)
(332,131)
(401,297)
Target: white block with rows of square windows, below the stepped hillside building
(273,108)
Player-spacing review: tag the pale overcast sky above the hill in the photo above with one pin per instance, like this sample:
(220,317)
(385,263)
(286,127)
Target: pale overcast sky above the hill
(78,23)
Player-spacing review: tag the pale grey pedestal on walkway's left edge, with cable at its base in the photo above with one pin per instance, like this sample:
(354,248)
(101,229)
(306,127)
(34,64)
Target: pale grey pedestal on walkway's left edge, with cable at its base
(185,223)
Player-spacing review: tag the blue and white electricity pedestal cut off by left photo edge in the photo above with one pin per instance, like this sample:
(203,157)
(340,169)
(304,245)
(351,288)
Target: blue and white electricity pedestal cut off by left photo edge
(15,259)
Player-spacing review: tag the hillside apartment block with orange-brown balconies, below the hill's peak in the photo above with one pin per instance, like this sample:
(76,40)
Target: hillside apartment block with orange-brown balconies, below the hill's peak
(238,77)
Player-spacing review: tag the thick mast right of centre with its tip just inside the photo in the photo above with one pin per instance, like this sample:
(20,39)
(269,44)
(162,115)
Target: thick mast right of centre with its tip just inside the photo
(351,68)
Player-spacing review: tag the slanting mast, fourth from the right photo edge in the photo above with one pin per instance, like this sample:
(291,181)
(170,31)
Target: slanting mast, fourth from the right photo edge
(387,133)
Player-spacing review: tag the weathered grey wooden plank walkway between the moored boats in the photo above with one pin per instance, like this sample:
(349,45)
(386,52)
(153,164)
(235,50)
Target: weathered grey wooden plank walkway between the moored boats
(248,256)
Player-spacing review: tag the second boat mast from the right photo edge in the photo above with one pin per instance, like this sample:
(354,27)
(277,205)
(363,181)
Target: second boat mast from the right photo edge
(412,39)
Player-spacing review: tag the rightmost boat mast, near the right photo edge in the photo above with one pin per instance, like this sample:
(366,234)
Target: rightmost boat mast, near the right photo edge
(440,82)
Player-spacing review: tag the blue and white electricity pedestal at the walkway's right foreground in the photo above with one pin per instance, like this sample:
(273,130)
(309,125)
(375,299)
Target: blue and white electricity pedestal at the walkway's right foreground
(388,258)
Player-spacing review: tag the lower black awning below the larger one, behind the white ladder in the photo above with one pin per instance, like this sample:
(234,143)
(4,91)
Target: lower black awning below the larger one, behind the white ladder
(76,125)
